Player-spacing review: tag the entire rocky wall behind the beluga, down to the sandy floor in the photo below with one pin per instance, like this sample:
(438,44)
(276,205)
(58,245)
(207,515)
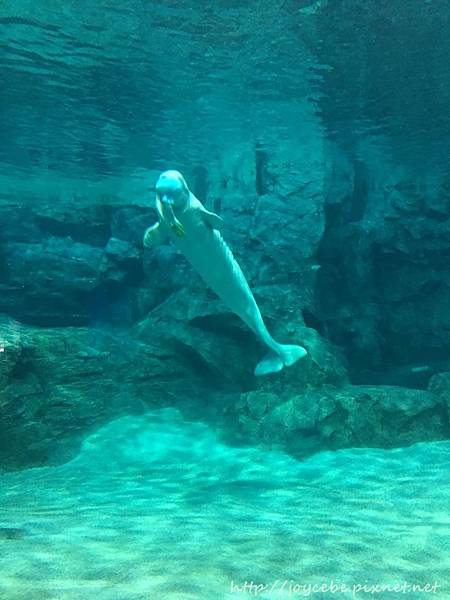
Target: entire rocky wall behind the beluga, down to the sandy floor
(356,266)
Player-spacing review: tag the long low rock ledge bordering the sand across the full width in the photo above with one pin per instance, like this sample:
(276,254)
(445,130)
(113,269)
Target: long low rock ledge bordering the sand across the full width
(57,384)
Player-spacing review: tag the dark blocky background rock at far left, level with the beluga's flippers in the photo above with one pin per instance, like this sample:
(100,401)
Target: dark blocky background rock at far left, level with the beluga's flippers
(59,260)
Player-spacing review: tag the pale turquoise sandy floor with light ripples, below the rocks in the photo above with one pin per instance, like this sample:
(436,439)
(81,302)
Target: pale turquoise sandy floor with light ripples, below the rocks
(155,507)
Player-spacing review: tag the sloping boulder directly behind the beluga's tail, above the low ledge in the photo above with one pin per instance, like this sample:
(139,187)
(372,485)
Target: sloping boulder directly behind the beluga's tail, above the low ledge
(193,323)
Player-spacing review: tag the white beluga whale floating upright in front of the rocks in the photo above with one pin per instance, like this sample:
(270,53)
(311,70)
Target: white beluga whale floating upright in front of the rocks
(196,232)
